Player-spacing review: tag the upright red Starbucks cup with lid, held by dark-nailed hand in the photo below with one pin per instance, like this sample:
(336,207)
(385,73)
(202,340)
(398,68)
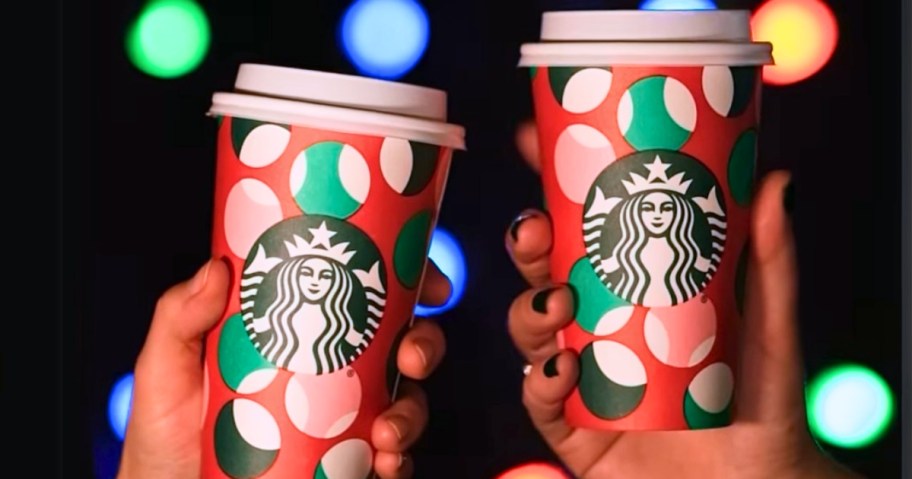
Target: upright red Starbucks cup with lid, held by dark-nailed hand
(648,126)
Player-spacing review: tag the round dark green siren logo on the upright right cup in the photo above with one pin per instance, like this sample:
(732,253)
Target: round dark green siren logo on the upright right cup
(654,227)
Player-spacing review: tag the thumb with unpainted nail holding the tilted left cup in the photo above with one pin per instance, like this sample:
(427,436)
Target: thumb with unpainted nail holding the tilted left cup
(169,367)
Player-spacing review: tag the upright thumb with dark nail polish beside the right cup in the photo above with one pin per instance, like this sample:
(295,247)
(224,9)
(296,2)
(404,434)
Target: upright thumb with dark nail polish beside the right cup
(772,371)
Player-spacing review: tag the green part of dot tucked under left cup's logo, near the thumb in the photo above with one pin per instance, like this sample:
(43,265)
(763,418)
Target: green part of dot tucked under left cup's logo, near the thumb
(237,355)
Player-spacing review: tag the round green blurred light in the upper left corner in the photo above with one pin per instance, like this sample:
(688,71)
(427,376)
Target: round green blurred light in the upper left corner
(169,38)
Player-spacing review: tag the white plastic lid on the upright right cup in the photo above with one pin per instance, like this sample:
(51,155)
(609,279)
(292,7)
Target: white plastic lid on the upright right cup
(643,37)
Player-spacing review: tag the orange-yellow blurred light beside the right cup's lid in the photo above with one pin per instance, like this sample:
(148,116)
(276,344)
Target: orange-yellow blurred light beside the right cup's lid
(804,34)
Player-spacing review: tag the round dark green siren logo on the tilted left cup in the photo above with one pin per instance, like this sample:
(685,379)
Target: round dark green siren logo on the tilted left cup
(313,294)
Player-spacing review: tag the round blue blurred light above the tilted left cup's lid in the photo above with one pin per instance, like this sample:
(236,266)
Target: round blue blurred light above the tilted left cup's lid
(384,38)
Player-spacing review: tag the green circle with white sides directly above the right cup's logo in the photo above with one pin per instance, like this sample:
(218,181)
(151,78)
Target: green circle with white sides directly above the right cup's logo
(657,113)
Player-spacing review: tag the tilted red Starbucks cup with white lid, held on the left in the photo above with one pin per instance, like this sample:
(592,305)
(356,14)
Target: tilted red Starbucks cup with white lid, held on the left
(327,191)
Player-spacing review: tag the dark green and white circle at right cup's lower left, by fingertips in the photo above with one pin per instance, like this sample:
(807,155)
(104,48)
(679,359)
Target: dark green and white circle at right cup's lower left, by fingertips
(612,379)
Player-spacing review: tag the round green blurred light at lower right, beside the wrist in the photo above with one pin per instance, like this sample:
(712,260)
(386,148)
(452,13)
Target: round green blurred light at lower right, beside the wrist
(849,406)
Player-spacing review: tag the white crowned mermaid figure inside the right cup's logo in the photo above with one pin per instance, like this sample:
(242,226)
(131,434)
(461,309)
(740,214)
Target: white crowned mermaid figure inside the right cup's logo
(657,260)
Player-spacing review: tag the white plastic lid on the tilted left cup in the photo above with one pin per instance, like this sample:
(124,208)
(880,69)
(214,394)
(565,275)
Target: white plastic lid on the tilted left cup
(340,102)
